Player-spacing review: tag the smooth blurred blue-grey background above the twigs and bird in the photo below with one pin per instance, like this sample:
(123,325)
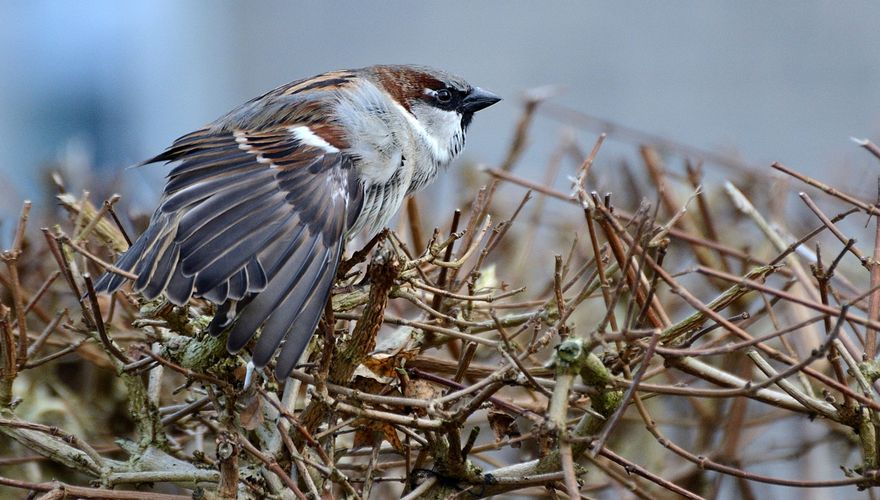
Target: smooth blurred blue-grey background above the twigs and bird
(104,84)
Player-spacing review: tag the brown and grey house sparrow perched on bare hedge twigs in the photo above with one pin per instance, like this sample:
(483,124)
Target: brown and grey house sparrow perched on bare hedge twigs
(255,214)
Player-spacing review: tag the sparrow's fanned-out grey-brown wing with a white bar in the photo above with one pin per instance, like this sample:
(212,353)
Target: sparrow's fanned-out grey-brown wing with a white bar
(254,222)
